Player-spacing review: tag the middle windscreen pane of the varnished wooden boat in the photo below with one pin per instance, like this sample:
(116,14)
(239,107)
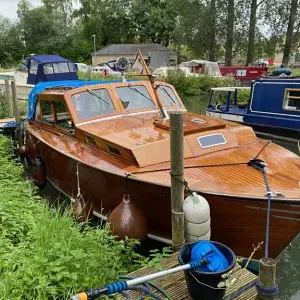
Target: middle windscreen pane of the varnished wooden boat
(135,97)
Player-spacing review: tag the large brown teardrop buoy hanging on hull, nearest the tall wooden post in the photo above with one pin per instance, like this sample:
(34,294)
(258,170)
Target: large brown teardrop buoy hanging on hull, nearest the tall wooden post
(127,220)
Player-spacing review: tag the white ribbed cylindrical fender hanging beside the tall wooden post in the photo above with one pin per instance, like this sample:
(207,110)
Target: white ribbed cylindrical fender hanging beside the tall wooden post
(197,218)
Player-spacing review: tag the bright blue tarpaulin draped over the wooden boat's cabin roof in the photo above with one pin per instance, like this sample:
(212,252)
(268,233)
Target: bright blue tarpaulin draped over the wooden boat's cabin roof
(42,86)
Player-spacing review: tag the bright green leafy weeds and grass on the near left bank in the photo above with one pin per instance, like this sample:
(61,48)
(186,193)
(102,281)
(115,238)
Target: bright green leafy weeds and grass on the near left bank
(44,254)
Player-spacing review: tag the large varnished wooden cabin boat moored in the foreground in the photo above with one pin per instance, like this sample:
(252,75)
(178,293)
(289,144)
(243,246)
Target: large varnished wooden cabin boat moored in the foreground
(111,129)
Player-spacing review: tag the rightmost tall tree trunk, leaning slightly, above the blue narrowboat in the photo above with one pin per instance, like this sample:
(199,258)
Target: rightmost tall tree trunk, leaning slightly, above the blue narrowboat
(289,33)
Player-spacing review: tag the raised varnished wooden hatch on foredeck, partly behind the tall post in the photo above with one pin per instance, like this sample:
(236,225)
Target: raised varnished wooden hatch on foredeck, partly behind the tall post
(193,124)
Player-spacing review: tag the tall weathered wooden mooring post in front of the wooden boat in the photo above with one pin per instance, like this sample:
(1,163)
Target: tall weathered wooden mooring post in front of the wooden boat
(177,179)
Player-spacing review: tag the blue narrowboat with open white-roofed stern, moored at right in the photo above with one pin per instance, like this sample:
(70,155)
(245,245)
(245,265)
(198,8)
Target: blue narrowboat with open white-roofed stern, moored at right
(272,106)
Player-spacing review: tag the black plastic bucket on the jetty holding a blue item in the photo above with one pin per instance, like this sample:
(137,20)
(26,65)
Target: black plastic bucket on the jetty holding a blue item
(204,285)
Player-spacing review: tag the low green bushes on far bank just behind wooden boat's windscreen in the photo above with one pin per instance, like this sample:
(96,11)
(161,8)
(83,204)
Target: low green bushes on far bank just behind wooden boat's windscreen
(190,85)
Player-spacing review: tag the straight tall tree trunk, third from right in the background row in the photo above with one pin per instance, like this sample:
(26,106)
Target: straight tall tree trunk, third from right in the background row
(229,34)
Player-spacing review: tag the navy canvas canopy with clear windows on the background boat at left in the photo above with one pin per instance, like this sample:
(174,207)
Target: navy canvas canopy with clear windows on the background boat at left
(50,68)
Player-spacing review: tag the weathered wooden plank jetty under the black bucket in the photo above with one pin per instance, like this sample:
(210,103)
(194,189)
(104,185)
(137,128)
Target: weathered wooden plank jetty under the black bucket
(176,288)
